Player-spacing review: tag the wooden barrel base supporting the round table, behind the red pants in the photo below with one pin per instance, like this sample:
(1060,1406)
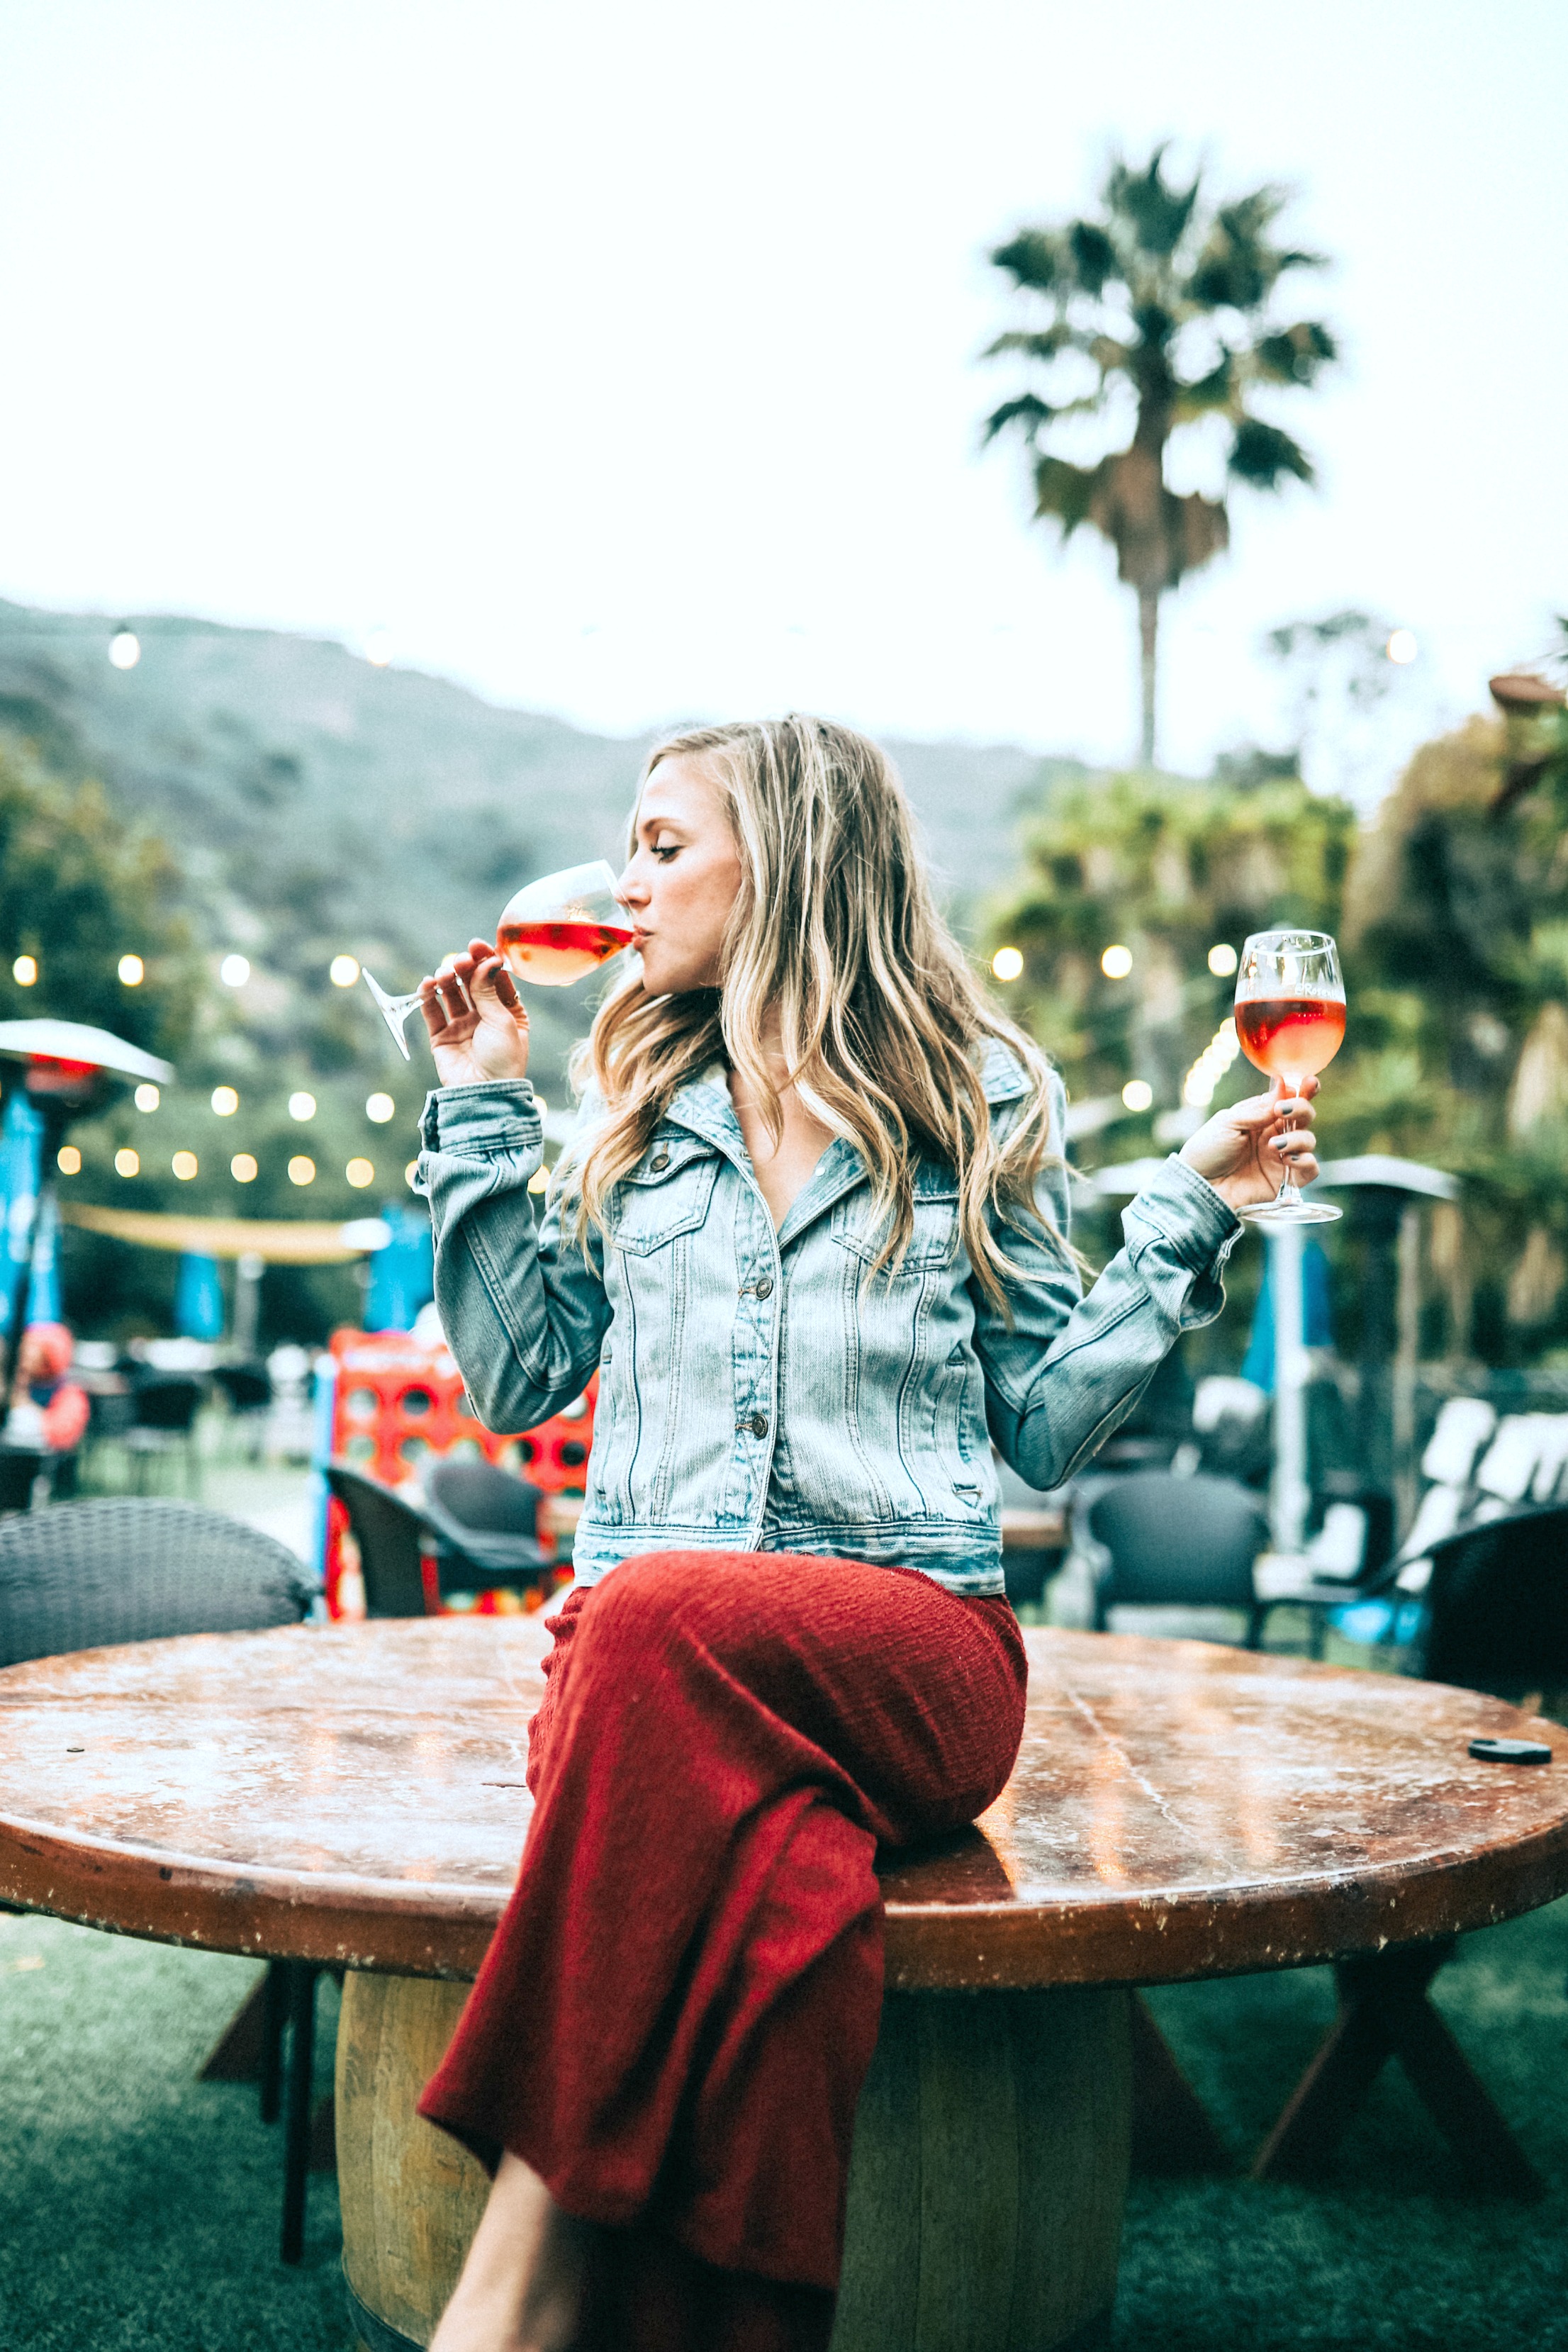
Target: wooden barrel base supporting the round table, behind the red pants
(984,2196)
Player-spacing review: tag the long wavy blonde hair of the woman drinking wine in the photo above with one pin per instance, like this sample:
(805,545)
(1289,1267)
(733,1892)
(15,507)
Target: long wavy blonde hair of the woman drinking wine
(838,937)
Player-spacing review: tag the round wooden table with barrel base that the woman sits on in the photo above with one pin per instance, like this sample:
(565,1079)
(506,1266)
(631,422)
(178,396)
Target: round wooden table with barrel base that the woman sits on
(356,1796)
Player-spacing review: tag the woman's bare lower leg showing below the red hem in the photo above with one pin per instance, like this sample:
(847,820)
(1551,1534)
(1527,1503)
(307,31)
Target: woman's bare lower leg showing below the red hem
(523,2280)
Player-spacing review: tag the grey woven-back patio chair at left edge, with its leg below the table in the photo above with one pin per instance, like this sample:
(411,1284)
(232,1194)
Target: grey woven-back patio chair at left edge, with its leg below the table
(142,1570)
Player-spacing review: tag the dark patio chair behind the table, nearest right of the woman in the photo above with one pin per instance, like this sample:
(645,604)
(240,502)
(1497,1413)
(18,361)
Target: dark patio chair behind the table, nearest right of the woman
(1177,1544)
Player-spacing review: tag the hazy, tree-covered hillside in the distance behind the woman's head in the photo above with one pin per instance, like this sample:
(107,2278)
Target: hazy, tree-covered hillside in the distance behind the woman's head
(319,803)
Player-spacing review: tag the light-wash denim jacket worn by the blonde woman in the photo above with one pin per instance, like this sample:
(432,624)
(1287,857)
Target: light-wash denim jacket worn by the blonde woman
(756,1391)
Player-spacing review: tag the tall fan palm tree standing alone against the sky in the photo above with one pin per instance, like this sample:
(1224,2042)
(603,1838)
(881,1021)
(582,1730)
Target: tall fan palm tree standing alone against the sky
(1172,302)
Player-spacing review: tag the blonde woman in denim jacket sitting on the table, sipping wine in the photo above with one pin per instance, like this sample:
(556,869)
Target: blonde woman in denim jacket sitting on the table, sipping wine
(812,1231)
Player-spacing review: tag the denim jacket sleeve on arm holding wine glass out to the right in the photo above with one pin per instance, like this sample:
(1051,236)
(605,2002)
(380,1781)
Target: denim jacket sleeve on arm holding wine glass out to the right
(1071,1368)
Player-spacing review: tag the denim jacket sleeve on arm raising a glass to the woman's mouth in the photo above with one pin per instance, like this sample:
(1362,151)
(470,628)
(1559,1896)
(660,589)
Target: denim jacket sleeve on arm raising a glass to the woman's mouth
(521,1302)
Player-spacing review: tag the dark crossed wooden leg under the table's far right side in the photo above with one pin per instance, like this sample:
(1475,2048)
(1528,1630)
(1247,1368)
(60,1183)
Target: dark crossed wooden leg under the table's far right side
(1386,2014)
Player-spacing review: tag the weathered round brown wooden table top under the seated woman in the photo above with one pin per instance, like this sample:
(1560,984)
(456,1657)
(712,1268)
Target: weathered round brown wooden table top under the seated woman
(1179,1810)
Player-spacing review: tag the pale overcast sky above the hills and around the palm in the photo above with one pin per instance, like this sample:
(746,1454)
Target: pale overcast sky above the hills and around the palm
(624,361)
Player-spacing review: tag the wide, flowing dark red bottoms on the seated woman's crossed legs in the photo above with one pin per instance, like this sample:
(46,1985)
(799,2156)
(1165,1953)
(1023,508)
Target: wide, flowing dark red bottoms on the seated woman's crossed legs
(683,1998)
